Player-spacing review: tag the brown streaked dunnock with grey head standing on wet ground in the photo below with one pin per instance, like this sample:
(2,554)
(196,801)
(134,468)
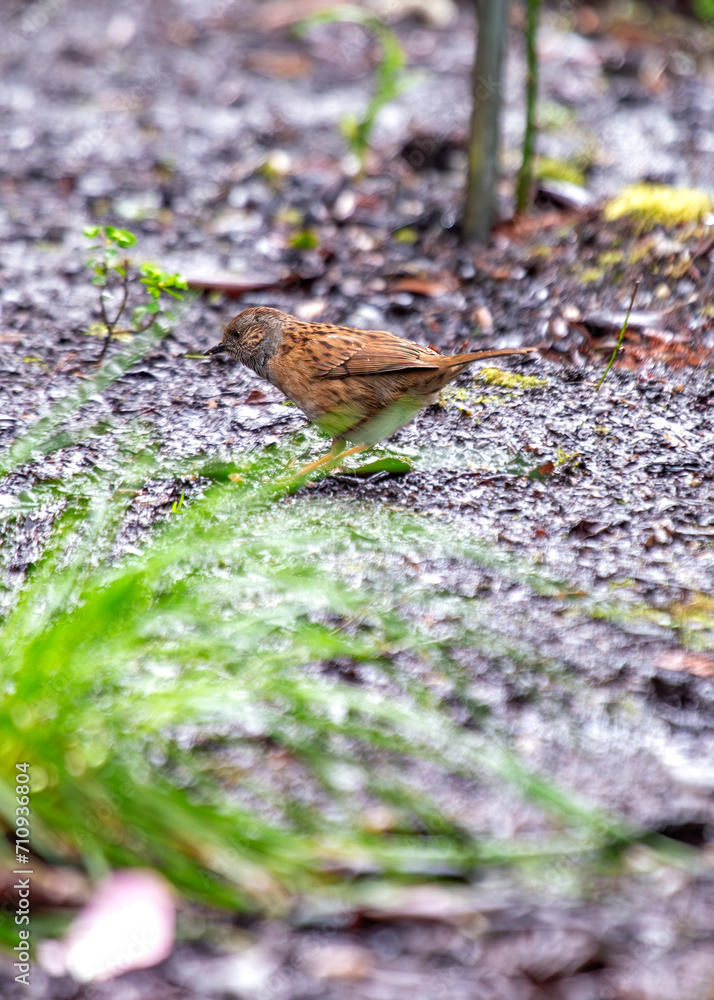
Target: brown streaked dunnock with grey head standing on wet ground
(359,385)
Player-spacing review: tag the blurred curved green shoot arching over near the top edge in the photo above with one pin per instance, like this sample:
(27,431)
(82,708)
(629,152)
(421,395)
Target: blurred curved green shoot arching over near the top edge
(390,80)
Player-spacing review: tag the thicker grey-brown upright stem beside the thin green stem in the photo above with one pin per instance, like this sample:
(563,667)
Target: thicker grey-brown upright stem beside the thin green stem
(487,88)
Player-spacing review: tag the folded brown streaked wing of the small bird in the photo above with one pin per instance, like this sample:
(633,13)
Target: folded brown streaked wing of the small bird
(371,353)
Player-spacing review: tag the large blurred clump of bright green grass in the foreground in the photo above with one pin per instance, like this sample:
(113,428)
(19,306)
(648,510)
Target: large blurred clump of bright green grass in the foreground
(214,628)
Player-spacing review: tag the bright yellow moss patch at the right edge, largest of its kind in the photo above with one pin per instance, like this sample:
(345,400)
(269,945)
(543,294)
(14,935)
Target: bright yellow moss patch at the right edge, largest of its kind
(651,205)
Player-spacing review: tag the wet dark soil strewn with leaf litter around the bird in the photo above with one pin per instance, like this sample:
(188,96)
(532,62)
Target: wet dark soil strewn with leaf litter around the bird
(203,130)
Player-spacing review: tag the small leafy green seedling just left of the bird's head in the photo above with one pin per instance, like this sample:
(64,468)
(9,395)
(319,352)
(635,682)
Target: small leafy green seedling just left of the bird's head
(113,270)
